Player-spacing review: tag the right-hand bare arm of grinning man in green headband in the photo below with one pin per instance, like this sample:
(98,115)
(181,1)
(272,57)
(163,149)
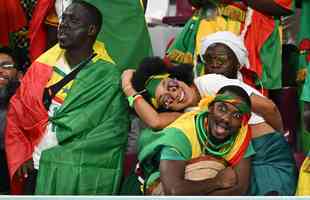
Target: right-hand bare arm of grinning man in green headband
(243,170)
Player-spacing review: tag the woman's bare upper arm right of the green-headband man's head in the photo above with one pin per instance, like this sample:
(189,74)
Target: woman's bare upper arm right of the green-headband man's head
(268,110)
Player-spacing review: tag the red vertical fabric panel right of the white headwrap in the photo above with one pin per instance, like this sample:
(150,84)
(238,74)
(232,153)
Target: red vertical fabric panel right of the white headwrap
(263,25)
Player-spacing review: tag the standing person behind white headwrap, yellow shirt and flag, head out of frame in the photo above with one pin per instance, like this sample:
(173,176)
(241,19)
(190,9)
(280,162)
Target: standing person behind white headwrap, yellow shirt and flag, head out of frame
(256,21)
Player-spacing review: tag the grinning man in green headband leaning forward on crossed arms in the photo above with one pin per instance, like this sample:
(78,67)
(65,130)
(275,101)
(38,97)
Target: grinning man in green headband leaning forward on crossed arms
(218,132)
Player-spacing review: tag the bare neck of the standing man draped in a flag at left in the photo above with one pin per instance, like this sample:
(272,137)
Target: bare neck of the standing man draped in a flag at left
(76,56)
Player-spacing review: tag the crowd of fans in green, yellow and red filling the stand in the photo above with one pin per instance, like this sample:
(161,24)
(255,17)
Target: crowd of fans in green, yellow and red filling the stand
(197,121)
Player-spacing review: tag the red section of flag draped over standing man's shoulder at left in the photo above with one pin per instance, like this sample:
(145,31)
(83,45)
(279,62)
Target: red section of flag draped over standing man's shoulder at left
(26,120)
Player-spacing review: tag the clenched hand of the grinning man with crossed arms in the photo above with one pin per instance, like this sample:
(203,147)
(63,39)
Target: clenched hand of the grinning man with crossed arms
(227,177)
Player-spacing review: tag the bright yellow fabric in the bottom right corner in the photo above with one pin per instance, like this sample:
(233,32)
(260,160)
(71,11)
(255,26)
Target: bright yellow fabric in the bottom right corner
(303,187)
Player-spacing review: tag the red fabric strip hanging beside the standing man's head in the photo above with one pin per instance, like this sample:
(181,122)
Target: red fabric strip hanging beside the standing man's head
(37,31)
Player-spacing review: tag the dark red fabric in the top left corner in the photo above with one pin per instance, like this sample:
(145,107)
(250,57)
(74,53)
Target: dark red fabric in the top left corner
(12,18)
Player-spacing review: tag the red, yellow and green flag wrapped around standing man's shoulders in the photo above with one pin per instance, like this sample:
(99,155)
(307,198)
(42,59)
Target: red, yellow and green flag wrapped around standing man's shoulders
(91,128)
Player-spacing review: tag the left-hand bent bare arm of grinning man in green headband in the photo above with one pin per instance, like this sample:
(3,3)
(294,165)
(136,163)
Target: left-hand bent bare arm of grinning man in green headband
(172,178)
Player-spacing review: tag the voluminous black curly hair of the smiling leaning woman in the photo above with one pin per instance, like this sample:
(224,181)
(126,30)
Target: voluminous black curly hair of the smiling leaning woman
(150,66)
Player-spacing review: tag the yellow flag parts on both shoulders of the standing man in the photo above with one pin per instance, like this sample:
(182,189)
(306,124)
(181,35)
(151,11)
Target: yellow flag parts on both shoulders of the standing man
(53,54)
